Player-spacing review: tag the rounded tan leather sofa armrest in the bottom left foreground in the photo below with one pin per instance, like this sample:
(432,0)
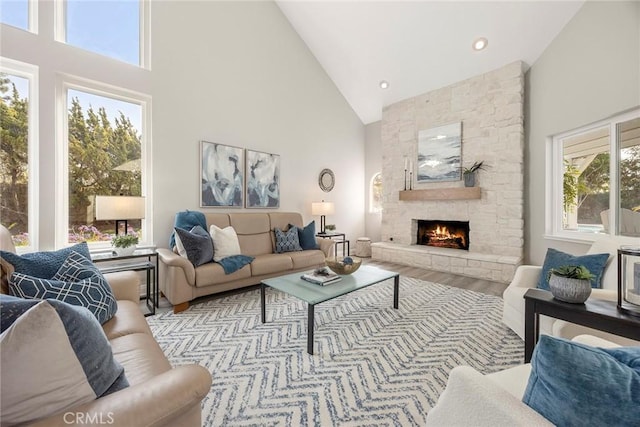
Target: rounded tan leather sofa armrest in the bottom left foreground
(155,402)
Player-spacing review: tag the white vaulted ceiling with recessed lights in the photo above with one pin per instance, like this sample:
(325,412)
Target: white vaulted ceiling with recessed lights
(418,46)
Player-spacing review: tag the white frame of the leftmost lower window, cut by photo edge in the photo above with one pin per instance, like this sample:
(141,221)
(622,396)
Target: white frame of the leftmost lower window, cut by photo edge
(30,72)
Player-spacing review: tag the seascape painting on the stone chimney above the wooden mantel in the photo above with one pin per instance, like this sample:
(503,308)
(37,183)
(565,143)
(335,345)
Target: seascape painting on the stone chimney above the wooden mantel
(439,152)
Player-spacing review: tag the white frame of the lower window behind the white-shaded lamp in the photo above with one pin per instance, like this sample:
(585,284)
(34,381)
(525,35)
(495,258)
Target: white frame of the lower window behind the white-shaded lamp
(63,84)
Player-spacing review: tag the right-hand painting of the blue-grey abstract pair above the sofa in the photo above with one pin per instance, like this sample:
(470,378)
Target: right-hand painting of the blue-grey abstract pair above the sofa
(263,180)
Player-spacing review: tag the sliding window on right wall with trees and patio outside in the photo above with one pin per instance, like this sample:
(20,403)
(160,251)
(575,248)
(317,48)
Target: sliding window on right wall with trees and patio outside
(596,176)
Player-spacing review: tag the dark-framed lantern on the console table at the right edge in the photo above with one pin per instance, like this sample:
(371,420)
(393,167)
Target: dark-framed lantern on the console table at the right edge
(629,280)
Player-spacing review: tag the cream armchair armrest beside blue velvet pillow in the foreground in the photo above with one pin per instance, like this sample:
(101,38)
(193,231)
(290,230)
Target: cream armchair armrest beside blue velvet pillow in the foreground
(471,399)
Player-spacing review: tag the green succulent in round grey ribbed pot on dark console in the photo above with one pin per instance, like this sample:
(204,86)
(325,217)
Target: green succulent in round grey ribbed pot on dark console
(570,283)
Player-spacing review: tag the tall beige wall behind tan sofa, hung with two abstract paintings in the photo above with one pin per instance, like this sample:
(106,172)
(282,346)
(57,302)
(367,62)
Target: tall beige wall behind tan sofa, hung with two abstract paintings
(236,73)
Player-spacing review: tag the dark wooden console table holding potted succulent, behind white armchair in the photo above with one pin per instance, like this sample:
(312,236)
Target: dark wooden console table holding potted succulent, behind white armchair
(594,313)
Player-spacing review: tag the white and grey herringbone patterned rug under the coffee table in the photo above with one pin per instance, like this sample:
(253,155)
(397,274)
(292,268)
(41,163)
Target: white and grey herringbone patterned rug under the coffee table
(373,365)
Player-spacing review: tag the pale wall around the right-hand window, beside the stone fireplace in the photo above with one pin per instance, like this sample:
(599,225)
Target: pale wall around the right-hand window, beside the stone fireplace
(589,72)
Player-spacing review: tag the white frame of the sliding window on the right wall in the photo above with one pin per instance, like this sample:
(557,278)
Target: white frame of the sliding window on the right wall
(554,189)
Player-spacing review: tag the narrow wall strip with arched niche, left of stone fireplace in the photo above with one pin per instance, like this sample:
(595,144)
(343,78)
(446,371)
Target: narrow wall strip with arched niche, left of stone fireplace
(373,165)
